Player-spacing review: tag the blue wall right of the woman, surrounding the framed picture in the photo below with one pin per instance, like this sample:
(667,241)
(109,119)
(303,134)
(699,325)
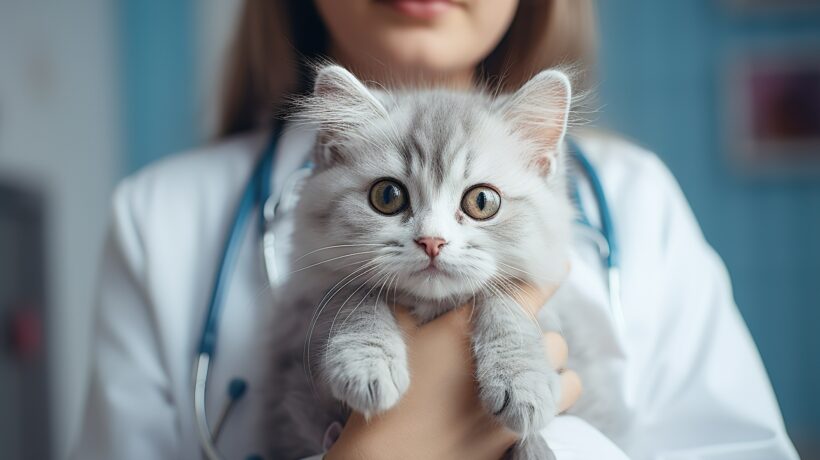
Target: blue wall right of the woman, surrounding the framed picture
(662,85)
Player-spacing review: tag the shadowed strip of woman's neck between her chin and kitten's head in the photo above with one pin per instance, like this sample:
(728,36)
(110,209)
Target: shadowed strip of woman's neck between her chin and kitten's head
(371,71)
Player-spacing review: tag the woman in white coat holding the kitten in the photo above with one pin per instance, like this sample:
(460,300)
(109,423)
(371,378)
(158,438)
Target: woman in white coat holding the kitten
(686,381)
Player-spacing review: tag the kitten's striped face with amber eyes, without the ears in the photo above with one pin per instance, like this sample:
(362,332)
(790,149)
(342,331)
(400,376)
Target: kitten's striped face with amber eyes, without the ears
(438,197)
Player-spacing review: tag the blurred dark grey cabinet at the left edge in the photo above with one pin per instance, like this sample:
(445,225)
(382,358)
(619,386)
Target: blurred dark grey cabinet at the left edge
(24,402)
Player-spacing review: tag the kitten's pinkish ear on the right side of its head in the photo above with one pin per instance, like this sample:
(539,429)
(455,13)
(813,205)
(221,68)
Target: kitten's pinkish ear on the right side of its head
(539,112)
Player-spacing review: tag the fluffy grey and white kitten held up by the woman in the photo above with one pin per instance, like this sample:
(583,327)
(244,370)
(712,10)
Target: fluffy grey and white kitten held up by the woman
(430,199)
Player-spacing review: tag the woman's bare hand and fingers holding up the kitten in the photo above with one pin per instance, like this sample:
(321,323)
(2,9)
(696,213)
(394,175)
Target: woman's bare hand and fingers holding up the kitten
(440,416)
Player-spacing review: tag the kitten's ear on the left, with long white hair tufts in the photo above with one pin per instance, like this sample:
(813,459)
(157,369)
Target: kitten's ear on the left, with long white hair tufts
(341,104)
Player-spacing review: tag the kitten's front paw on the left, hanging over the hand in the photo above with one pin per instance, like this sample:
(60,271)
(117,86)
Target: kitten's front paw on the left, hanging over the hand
(372,385)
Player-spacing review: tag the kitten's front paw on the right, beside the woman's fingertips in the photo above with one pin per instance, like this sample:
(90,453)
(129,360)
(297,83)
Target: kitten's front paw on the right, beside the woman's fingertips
(524,402)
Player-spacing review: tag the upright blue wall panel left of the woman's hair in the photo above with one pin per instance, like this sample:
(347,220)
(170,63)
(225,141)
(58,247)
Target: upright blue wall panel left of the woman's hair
(158,78)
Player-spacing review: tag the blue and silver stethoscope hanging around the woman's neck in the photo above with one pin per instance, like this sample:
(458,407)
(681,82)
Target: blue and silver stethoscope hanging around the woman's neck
(258,191)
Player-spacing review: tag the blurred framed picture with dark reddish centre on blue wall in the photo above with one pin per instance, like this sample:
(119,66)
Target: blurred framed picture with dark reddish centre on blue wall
(773,116)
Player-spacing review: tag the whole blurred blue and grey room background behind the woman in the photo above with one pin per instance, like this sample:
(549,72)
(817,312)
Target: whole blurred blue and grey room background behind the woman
(726,92)
